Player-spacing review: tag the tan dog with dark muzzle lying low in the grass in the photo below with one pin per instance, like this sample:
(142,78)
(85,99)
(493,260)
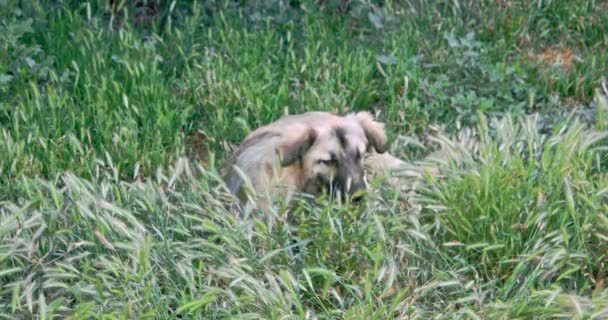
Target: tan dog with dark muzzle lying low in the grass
(312,153)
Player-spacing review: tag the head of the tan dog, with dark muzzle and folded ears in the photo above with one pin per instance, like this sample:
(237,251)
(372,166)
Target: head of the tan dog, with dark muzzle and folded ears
(331,155)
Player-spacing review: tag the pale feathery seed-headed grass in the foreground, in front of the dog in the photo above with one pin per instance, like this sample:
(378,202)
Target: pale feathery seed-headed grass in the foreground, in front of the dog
(518,228)
